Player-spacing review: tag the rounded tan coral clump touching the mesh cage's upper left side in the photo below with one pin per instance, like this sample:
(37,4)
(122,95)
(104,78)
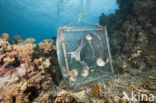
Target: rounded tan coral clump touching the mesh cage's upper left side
(47,46)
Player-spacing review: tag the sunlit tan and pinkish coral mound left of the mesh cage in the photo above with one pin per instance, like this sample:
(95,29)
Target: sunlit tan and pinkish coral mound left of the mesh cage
(24,75)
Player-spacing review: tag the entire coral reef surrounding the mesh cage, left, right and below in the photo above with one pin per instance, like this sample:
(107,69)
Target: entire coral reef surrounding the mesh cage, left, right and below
(29,72)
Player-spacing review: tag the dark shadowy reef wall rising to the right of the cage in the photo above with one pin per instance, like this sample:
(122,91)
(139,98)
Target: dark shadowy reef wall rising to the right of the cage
(132,32)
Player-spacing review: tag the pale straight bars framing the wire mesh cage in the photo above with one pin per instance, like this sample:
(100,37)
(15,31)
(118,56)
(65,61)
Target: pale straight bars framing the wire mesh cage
(98,28)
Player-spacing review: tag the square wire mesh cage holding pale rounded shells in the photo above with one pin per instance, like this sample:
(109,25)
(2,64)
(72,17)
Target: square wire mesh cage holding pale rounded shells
(83,54)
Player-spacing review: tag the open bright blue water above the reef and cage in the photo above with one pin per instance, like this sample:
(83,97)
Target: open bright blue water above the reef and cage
(40,19)
